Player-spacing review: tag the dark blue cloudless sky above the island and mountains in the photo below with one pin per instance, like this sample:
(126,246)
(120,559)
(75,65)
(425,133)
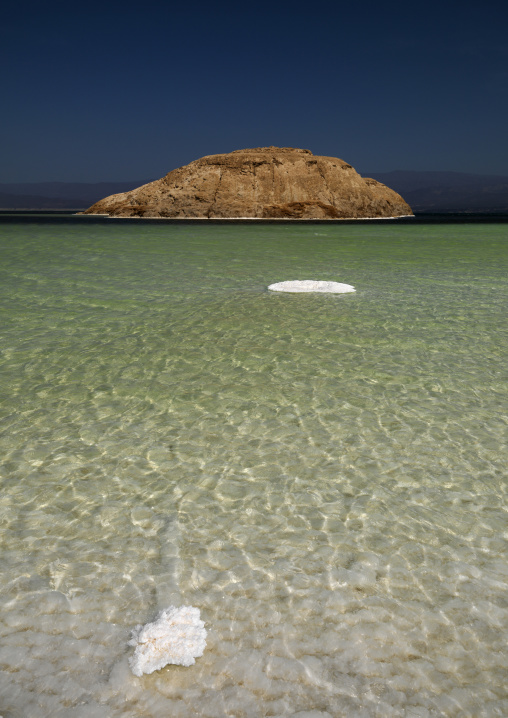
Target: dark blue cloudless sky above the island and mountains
(130,90)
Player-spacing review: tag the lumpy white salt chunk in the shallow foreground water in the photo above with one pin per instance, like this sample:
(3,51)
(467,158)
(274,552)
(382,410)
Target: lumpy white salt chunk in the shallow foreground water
(176,636)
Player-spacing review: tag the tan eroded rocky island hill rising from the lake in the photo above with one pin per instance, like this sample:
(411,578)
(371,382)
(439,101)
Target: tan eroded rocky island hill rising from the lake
(266,182)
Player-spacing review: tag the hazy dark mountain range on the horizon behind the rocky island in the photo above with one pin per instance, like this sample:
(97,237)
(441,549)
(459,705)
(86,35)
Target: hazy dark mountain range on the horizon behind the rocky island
(440,192)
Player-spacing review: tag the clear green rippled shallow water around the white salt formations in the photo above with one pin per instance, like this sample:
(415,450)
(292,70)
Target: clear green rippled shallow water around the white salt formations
(323,476)
